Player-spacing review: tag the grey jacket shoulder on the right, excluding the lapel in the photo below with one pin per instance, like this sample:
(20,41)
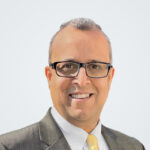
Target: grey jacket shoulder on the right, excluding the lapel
(123,139)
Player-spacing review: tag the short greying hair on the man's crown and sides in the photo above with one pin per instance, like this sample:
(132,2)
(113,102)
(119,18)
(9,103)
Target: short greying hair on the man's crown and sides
(81,24)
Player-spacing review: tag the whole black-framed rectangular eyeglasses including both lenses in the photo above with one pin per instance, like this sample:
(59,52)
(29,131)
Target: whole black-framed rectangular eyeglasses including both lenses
(70,69)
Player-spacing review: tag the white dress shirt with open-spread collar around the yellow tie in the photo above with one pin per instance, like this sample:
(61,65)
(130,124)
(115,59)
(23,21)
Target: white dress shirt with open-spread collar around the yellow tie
(76,137)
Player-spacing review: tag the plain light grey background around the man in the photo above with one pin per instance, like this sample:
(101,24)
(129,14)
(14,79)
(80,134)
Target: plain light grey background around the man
(26,27)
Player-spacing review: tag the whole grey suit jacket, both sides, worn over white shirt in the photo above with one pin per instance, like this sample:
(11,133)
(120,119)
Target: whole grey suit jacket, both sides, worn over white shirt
(46,135)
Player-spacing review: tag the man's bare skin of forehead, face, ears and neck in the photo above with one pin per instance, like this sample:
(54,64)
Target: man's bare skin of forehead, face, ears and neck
(81,46)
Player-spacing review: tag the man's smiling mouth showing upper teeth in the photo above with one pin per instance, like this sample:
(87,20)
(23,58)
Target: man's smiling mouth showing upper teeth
(79,96)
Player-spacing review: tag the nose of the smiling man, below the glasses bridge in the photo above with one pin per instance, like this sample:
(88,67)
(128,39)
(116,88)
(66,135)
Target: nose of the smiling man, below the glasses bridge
(82,79)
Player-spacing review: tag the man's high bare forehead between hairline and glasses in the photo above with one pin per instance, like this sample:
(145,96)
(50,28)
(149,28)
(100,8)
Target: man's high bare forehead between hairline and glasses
(80,45)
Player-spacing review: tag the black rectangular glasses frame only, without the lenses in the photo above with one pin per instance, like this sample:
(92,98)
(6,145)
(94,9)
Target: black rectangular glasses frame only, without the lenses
(53,65)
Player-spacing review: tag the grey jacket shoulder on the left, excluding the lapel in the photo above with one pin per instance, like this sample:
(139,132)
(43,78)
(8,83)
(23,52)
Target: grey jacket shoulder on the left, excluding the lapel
(25,138)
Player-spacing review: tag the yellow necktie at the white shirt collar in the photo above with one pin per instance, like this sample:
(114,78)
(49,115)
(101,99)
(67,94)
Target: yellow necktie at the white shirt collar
(92,142)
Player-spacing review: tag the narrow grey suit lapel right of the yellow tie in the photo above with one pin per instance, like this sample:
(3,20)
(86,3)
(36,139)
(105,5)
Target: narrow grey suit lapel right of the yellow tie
(111,139)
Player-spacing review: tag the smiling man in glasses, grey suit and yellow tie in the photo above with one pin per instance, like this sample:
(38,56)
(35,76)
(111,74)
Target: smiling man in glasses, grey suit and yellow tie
(79,76)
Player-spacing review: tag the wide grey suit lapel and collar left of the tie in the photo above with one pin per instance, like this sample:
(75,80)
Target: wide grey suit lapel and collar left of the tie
(51,135)
